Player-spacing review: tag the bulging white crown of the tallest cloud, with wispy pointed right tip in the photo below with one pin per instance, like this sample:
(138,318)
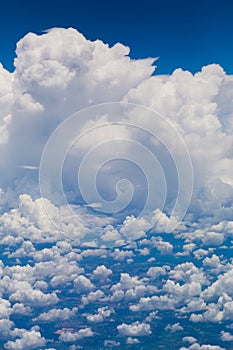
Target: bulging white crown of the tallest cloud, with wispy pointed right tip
(64,58)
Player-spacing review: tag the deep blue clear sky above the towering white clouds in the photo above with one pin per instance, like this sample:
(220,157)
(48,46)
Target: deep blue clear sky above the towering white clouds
(184,33)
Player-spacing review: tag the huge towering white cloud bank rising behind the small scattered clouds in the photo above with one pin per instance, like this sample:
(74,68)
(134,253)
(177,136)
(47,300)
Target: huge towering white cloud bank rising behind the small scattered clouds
(61,73)
